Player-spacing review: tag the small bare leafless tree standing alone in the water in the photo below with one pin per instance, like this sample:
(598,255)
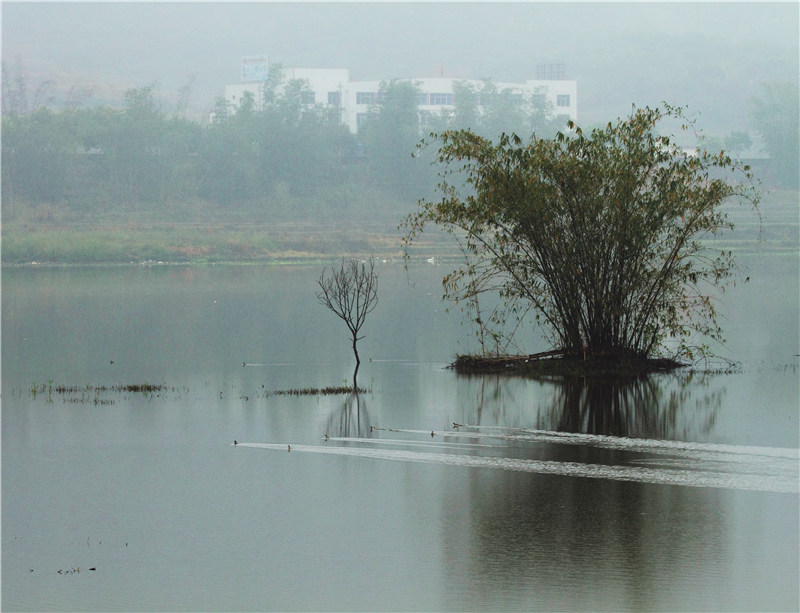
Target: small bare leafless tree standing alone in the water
(351,292)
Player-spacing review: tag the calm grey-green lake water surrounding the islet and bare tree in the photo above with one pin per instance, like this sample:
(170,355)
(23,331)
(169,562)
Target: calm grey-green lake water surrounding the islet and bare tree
(671,493)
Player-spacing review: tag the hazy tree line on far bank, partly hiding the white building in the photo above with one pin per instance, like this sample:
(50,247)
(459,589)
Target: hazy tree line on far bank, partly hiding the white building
(286,158)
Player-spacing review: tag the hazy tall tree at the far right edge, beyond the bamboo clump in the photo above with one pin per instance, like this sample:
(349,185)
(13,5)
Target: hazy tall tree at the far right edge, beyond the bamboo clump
(775,116)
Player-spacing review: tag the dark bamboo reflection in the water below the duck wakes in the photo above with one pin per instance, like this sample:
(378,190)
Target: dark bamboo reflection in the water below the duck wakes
(532,533)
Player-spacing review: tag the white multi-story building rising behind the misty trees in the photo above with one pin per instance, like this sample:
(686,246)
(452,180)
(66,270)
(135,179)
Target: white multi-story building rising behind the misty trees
(333,87)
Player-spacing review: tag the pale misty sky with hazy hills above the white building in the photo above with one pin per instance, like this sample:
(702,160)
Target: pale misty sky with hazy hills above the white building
(710,56)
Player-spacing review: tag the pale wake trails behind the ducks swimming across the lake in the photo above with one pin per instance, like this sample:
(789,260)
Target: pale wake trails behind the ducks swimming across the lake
(764,469)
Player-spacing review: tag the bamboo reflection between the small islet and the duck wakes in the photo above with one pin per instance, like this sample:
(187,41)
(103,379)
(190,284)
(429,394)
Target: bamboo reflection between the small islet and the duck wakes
(677,406)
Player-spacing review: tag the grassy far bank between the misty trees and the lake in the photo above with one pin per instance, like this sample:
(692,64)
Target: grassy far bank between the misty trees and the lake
(51,235)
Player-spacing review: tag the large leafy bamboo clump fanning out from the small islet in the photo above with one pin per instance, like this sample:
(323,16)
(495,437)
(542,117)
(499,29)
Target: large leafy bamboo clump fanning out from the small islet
(600,236)
